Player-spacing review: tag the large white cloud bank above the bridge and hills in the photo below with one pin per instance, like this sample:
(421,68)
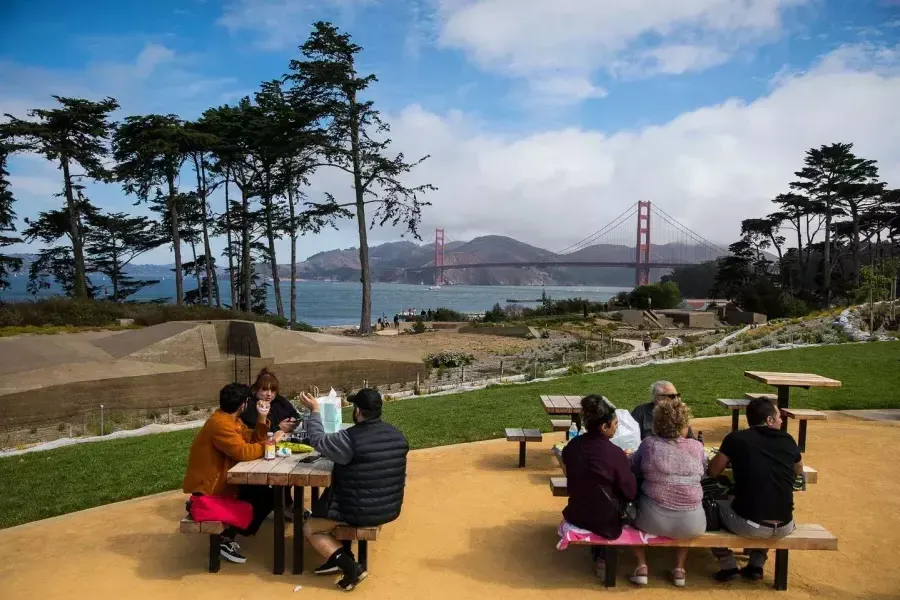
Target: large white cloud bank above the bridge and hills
(710,168)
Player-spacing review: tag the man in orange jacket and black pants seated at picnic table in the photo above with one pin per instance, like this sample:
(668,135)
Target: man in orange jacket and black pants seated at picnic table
(222,442)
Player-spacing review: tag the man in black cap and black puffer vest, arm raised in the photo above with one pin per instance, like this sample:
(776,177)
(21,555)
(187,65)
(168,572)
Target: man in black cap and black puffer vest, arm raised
(366,485)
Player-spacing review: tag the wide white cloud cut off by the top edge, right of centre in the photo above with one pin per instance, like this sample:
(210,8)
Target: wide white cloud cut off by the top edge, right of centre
(632,37)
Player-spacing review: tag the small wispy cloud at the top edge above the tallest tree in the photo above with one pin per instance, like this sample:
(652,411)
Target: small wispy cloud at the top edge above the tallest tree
(281,24)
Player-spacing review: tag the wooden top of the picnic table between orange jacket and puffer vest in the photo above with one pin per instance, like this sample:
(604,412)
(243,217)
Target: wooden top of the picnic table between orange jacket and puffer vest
(284,471)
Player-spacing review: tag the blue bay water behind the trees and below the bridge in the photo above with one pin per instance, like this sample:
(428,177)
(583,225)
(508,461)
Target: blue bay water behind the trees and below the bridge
(322,303)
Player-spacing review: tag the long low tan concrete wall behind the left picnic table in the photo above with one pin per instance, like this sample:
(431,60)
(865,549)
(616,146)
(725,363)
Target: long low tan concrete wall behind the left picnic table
(187,388)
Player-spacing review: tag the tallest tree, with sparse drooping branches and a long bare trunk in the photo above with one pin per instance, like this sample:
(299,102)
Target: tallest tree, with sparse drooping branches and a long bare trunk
(355,142)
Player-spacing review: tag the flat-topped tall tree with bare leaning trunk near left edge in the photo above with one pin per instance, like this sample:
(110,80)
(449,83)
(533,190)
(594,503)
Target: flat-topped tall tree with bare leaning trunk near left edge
(73,134)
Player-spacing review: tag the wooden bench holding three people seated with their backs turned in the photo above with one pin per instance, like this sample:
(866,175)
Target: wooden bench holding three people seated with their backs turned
(805,537)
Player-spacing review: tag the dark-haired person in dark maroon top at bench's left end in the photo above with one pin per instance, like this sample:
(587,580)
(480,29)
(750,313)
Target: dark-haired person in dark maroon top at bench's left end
(599,476)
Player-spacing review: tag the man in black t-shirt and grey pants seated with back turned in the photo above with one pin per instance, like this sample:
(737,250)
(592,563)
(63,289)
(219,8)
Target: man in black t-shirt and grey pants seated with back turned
(765,461)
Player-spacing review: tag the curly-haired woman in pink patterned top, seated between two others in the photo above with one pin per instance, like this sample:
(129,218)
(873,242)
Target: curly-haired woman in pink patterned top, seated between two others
(670,466)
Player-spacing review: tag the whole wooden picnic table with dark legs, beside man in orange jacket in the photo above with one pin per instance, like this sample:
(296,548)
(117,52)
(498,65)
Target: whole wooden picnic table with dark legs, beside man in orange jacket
(284,473)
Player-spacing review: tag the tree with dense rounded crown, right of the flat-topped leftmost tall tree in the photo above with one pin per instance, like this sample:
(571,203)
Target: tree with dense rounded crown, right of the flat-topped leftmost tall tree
(149,151)
